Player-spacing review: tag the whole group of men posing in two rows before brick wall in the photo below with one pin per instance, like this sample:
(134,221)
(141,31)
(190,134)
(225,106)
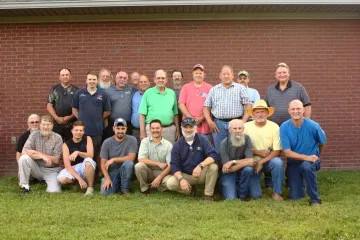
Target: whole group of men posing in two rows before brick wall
(224,132)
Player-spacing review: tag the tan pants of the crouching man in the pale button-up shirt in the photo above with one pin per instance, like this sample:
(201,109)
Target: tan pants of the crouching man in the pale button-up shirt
(146,175)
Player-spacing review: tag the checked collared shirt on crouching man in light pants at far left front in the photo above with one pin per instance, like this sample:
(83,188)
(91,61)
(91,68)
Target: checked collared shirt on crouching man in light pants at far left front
(51,146)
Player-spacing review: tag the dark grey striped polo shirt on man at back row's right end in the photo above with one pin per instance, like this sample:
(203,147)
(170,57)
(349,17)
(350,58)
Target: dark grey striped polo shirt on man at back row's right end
(280,100)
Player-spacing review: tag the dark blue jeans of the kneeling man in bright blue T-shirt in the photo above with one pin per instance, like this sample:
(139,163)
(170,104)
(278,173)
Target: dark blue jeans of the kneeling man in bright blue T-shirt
(297,173)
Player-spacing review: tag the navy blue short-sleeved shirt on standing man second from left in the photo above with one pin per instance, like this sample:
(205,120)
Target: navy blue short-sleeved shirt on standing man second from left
(91,109)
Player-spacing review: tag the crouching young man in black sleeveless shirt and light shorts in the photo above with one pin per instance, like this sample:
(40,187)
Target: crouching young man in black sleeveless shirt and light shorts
(77,154)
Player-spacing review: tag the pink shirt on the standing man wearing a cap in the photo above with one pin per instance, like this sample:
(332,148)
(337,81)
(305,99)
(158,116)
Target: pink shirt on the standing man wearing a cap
(193,98)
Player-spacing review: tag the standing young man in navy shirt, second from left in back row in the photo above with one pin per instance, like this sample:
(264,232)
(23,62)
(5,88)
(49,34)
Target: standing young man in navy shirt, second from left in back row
(92,106)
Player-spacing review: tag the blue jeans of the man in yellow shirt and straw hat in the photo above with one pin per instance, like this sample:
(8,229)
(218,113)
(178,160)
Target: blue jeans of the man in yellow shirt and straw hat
(276,167)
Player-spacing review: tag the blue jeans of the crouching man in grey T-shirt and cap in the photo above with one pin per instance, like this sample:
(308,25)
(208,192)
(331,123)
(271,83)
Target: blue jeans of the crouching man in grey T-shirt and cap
(120,177)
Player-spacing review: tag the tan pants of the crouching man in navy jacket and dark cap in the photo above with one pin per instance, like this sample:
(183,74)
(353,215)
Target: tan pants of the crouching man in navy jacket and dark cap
(208,176)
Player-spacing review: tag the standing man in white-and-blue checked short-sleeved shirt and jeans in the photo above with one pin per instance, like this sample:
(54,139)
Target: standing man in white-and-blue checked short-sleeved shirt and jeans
(225,101)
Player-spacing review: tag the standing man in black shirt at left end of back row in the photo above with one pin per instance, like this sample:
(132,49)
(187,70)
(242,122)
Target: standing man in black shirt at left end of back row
(59,104)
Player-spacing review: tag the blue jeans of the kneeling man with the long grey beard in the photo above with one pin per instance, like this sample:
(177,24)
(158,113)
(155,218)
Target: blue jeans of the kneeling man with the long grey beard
(236,184)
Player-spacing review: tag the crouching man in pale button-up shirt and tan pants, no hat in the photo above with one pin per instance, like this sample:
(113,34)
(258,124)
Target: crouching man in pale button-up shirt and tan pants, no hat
(154,160)
